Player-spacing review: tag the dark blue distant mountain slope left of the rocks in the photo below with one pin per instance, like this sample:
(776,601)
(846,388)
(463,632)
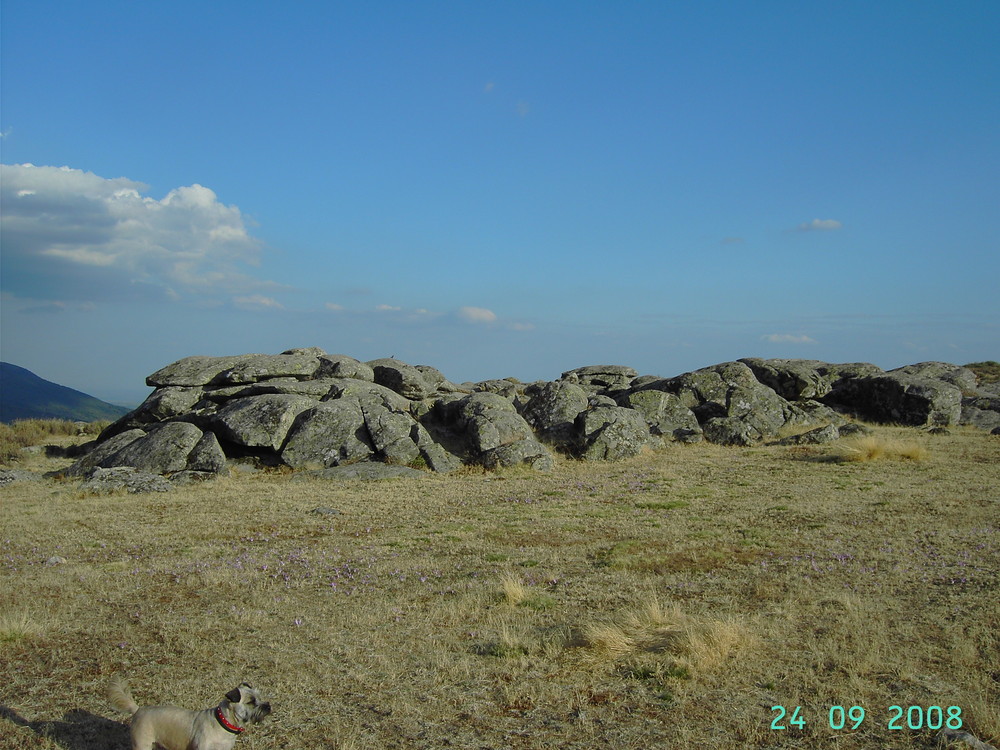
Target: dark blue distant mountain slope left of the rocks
(24,395)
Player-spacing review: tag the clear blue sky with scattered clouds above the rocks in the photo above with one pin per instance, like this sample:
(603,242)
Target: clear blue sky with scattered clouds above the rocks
(497,189)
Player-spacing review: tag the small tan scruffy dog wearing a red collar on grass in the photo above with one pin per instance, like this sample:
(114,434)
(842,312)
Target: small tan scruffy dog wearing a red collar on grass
(173,728)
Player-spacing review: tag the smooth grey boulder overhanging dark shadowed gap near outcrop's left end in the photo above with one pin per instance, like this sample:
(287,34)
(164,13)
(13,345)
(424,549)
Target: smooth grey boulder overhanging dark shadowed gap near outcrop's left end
(259,421)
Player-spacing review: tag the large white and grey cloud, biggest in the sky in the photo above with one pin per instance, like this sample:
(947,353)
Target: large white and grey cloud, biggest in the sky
(96,237)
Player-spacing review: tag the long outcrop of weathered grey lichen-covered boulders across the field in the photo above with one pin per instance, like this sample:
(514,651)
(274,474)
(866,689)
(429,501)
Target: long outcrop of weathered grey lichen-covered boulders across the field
(322,412)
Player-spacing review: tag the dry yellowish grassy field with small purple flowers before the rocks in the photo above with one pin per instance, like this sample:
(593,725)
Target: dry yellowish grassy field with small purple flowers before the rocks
(668,601)
